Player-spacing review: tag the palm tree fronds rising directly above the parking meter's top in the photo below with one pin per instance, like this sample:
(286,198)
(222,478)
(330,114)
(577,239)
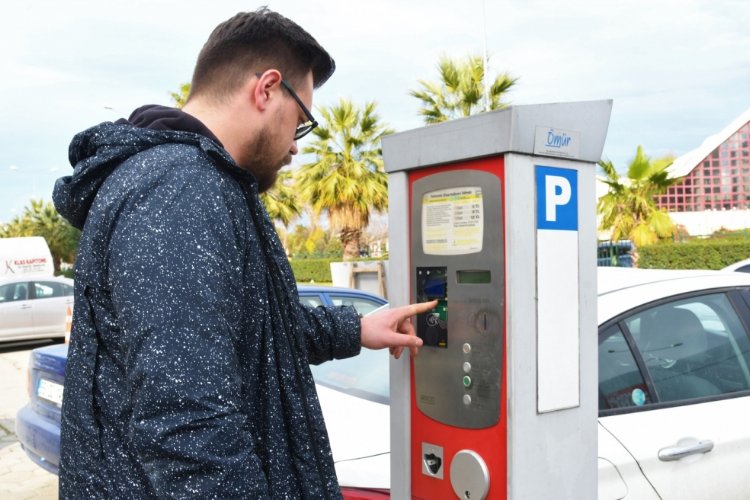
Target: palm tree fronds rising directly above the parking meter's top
(460,91)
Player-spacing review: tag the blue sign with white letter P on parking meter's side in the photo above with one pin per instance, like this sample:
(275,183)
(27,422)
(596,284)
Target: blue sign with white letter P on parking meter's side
(556,198)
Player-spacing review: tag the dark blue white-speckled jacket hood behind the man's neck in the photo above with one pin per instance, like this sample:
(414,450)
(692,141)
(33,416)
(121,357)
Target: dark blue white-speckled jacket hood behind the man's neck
(96,152)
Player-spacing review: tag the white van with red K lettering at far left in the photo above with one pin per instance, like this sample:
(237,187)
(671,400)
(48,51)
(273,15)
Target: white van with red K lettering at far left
(25,256)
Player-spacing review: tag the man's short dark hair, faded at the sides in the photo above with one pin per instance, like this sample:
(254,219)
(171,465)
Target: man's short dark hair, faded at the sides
(253,42)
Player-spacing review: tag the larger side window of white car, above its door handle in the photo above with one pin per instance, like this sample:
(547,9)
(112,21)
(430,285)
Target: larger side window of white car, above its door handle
(693,348)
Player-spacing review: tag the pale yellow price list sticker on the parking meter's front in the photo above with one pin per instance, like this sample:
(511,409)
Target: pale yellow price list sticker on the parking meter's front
(452,221)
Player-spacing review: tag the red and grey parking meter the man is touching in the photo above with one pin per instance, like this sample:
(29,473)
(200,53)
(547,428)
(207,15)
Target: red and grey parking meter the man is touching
(493,216)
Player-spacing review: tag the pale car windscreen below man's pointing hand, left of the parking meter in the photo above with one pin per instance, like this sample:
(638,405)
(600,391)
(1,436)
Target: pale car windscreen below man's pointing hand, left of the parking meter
(364,376)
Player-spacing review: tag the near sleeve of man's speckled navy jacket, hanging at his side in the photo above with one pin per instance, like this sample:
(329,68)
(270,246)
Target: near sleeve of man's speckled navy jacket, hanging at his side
(175,272)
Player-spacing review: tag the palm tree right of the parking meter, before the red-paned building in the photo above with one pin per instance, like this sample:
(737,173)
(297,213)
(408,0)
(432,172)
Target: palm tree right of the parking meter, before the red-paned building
(629,209)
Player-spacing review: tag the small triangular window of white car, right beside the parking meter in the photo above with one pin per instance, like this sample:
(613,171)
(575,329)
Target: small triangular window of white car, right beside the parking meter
(621,384)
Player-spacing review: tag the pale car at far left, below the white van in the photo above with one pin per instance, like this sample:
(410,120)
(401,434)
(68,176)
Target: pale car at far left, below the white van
(33,307)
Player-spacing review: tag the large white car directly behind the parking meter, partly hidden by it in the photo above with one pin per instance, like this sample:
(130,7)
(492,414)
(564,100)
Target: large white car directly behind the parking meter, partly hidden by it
(674,392)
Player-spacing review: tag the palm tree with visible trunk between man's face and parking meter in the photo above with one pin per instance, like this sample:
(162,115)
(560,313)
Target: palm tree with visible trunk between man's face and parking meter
(347,180)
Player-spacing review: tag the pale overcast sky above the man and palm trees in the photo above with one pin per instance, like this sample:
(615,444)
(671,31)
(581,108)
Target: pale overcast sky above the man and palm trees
(677,70)
